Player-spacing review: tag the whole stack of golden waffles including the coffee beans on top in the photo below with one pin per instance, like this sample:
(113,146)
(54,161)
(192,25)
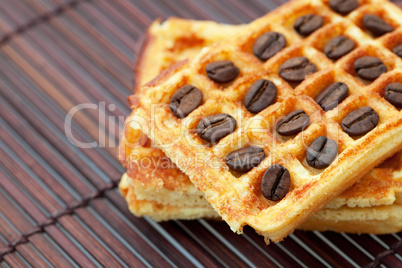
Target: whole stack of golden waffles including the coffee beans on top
(277,124)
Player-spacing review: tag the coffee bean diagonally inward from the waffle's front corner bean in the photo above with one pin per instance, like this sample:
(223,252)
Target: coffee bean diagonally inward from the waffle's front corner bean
(293,123)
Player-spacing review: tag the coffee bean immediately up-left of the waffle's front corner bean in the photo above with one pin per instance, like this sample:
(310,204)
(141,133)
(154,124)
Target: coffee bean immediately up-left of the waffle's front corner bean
(245,159)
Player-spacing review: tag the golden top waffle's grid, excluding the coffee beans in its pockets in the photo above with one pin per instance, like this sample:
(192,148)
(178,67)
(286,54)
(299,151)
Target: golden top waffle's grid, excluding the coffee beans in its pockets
(238,200)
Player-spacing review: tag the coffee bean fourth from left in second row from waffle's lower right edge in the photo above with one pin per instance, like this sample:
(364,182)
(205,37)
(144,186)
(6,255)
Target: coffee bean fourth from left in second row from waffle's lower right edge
(370,68)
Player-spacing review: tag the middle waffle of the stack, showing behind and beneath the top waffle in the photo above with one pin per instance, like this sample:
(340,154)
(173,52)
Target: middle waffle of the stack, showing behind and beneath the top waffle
(152,169)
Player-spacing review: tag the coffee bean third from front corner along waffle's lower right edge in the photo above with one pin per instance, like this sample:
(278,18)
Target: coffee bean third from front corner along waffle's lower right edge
(360,122)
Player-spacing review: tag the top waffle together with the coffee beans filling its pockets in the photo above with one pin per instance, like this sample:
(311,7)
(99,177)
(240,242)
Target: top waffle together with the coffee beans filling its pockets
(266,200)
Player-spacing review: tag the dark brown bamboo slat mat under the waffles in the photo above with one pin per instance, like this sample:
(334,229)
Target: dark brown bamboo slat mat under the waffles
(59,206)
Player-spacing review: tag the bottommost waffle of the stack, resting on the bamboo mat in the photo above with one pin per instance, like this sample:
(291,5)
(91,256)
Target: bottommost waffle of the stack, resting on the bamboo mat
(375,220)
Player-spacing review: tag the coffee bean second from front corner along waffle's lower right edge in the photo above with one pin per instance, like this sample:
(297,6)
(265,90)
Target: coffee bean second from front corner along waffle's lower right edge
(321,152)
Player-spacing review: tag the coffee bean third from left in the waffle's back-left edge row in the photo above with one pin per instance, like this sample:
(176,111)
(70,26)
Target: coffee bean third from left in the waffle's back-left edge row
(268,44)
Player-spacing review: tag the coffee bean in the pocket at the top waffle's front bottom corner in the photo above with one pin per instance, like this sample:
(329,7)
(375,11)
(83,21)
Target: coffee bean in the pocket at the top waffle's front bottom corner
(275,183)
